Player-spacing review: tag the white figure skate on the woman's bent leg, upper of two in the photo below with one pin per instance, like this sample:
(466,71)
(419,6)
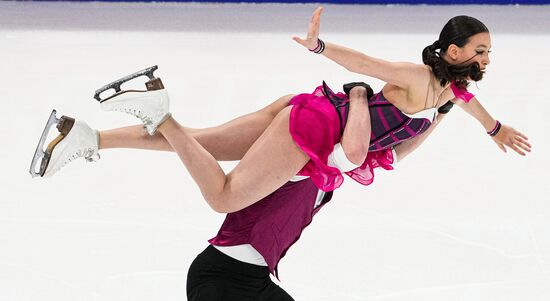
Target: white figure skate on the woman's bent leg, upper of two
(151,105)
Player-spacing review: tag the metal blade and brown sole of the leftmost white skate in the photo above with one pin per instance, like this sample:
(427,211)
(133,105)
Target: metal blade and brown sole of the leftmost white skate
(42,157)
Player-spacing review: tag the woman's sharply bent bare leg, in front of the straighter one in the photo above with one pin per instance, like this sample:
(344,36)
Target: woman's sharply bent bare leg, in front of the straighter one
(269,163)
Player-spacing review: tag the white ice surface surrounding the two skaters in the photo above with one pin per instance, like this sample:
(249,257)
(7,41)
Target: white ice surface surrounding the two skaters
(458,220)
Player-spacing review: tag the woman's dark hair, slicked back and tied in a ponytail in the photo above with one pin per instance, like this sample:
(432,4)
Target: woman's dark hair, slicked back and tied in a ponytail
(458,31)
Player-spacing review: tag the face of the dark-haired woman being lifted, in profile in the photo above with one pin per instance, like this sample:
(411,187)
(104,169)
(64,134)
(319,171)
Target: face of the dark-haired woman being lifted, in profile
(476,50)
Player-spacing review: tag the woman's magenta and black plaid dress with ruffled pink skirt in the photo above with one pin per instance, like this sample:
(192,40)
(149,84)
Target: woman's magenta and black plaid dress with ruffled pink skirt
(315,126)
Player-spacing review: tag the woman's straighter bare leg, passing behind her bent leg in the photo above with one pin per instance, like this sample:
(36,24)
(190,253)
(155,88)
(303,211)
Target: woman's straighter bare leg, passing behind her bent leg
(226,142)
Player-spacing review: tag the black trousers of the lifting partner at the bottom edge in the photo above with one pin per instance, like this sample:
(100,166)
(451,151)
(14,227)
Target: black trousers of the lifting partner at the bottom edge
(215,276)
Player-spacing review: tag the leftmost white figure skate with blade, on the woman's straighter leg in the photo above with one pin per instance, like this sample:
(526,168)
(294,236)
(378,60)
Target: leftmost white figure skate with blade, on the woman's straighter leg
(76,139)
